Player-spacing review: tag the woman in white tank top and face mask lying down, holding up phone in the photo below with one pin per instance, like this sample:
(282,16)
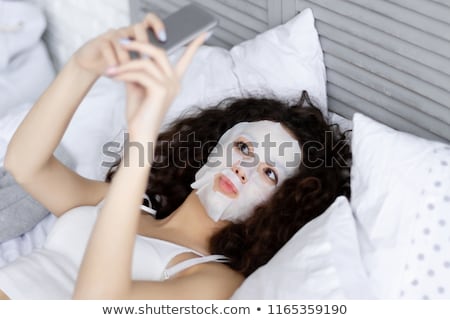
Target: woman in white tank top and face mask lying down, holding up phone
(252,192)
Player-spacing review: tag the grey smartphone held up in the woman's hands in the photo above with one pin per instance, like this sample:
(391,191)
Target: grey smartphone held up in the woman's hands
(182,27)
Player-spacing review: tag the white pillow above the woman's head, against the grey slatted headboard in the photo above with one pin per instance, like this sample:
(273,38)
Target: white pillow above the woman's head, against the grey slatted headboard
(278,63)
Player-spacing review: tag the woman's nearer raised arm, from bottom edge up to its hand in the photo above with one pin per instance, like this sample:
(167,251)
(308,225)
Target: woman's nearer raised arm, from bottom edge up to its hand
(106,269)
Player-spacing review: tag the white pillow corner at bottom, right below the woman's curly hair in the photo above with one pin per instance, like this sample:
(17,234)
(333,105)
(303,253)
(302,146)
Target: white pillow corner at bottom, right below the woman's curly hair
(321,261)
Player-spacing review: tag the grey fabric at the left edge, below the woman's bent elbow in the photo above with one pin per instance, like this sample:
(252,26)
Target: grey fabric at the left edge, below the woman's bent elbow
(19,212)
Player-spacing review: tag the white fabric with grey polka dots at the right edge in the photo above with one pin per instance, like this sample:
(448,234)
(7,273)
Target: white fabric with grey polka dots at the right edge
(427,266)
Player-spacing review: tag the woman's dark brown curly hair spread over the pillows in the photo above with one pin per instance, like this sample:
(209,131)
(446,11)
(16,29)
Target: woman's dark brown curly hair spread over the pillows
(322,175)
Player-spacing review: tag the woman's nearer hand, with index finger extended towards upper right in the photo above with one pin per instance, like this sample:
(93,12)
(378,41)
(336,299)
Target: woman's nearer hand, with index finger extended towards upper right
(158,81)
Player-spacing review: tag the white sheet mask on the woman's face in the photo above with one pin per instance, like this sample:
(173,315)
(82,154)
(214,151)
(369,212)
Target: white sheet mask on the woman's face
(250,160)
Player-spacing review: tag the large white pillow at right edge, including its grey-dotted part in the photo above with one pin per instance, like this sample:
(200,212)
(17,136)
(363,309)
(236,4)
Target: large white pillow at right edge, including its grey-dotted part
(401,198)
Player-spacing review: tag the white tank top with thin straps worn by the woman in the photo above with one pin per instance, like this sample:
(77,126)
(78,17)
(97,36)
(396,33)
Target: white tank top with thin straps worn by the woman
(51,272)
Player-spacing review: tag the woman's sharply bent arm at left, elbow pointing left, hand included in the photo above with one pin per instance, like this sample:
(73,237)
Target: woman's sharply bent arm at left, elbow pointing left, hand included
(30,157)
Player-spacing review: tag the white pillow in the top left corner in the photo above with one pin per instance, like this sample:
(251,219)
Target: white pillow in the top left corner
(25,66)
